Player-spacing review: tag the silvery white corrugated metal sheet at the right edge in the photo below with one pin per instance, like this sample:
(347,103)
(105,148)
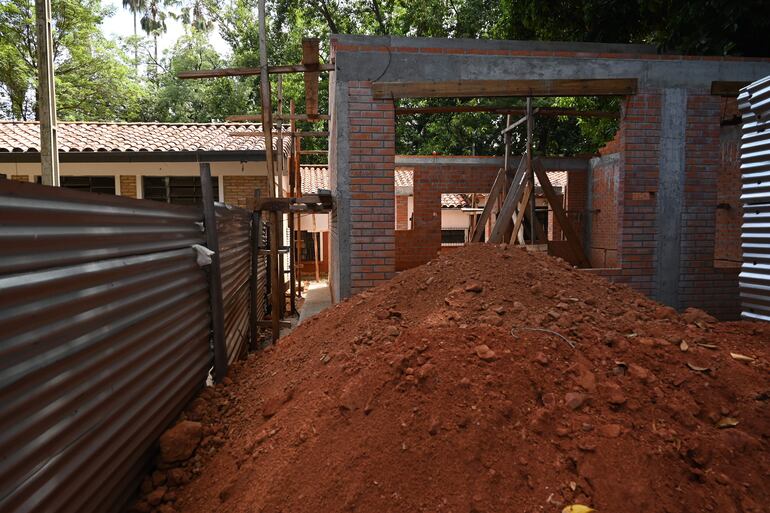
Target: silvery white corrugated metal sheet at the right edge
(754,102)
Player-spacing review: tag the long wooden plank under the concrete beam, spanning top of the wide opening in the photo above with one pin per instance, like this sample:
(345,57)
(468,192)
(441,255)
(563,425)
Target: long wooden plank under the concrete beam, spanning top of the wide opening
(481,88)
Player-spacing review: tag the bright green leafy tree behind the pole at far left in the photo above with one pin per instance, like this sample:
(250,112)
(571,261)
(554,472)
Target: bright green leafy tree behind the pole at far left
(93,79)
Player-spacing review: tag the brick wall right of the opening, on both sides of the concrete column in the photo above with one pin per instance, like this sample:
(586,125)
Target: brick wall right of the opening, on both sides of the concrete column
(624,191)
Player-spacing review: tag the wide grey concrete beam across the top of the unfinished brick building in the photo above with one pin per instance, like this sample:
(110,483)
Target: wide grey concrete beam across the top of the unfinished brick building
(385,63)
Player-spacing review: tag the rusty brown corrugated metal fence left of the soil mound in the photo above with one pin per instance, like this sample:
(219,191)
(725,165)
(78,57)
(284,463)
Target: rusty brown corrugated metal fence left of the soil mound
(105,334)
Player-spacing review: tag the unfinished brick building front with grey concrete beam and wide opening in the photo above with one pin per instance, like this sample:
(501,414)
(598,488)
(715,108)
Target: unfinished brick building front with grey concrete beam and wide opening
(663,201)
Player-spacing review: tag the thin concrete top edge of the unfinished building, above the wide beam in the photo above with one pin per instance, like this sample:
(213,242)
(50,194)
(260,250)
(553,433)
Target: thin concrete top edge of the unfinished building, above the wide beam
(486,44)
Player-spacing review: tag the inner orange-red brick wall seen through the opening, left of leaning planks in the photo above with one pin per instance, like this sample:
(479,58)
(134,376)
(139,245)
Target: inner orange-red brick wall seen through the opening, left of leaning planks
(423,242)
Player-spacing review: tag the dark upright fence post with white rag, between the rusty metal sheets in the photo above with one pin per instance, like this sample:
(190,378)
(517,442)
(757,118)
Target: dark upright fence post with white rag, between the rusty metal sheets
(215,274)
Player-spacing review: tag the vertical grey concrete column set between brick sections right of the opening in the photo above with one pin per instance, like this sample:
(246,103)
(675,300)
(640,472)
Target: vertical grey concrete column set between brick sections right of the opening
(671,178)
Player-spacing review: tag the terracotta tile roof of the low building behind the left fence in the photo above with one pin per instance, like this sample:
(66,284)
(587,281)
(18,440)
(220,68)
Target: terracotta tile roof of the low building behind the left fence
(24,136)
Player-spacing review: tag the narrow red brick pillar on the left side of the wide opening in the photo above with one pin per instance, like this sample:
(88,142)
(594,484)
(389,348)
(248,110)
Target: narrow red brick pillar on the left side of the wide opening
(372,198)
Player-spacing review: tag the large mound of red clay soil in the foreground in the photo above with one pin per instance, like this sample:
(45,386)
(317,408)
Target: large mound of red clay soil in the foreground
(430,393)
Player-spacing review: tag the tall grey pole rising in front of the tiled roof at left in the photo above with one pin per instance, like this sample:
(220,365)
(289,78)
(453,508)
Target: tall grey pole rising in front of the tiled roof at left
(46,97)
